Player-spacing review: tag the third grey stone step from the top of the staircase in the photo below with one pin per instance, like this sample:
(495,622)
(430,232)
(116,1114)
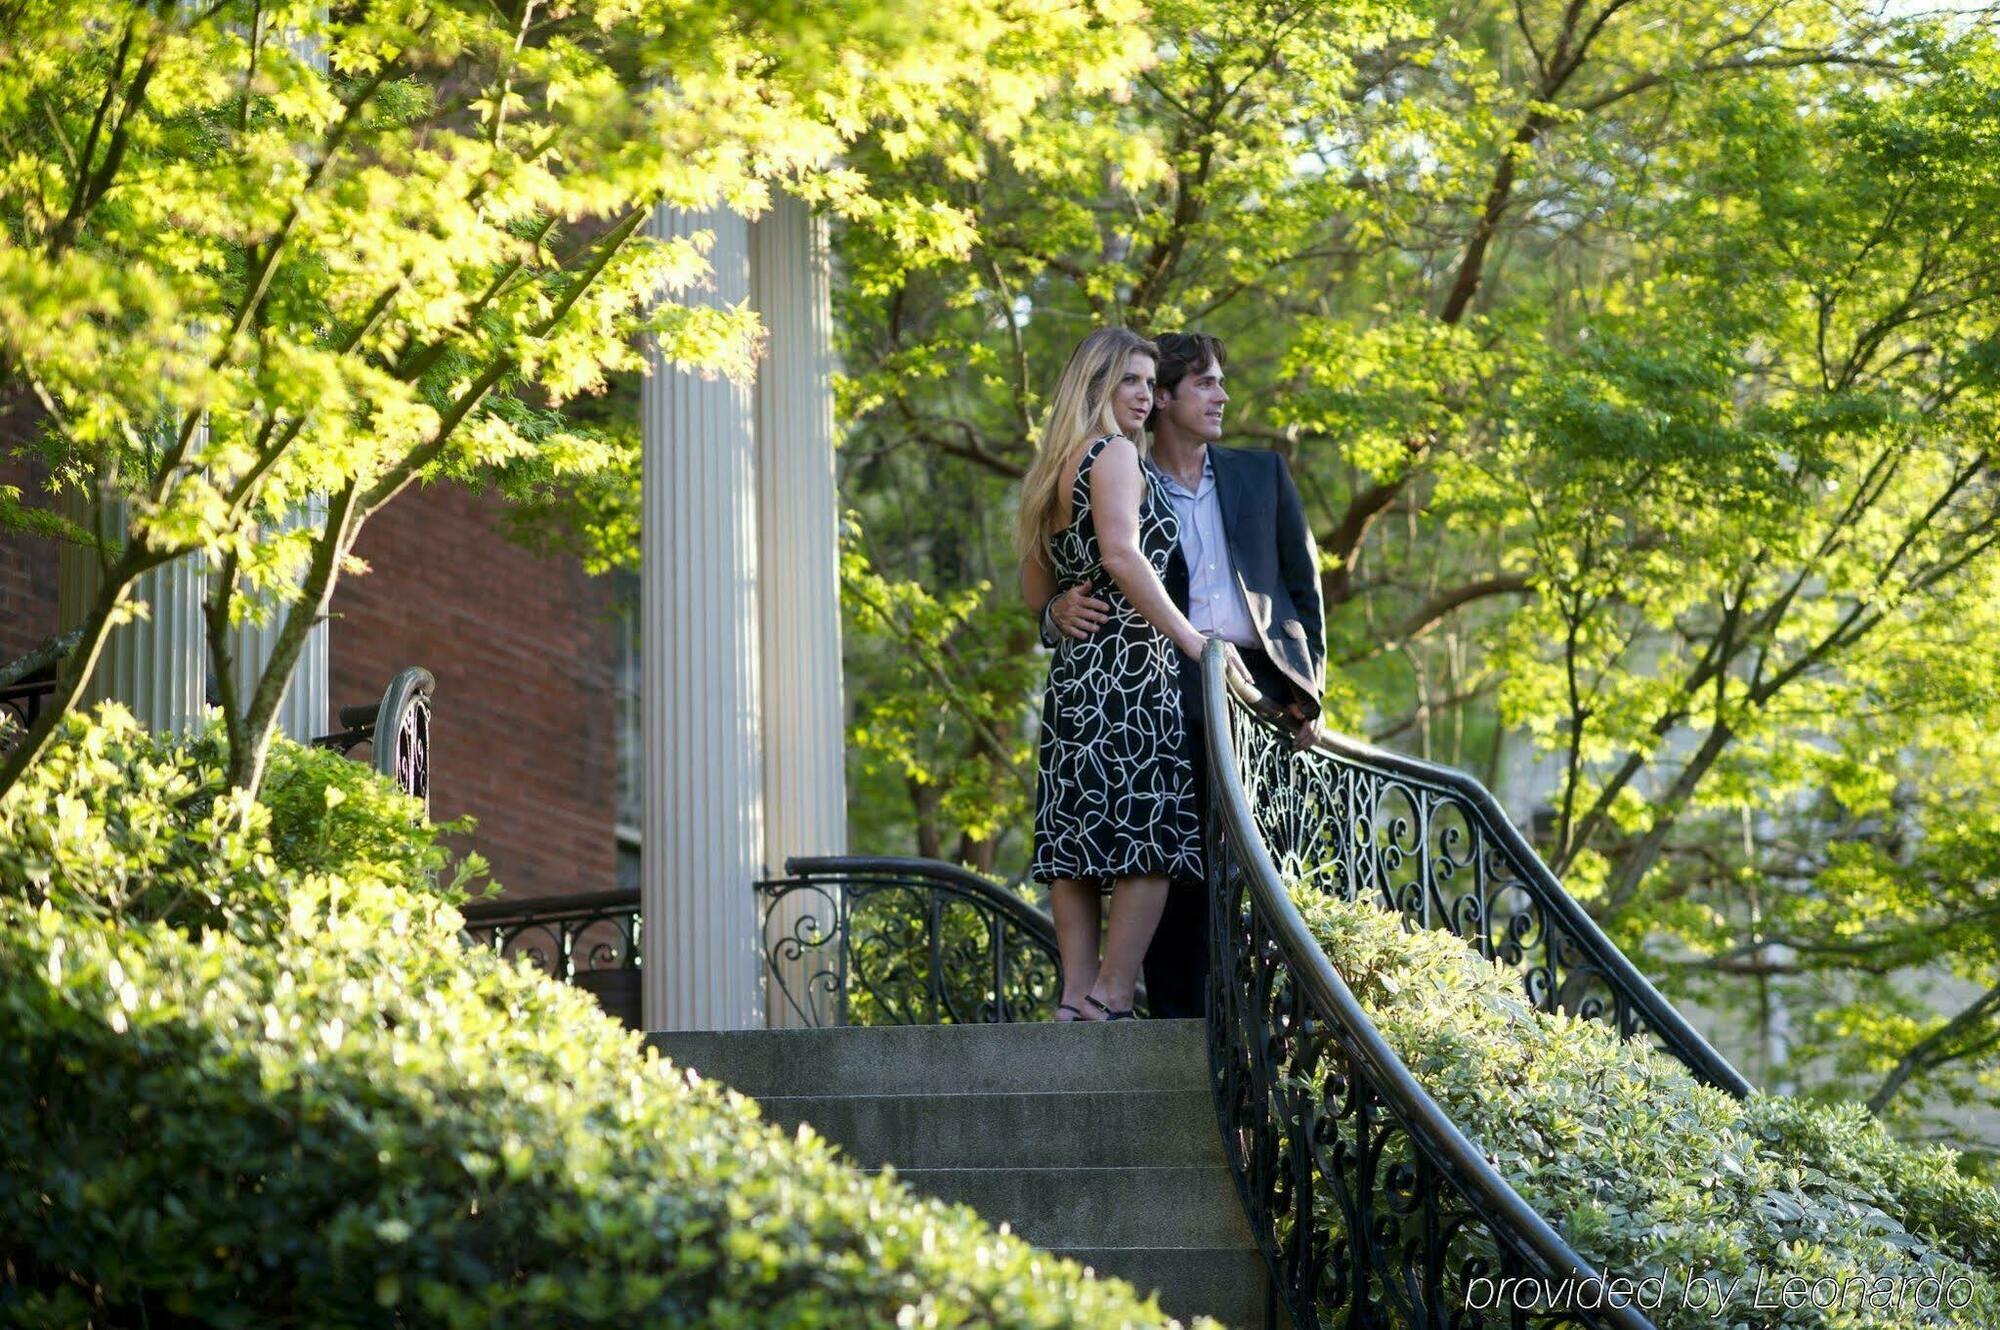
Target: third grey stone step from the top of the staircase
(1165,1207)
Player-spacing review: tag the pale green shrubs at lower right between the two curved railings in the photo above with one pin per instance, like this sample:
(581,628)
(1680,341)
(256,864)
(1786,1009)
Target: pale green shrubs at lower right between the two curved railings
(1649,1173)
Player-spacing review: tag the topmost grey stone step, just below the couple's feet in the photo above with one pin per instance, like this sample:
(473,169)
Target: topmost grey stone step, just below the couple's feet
(1003,1059)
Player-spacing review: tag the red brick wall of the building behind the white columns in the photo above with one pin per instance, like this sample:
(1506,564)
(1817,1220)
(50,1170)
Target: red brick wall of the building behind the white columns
(523,649)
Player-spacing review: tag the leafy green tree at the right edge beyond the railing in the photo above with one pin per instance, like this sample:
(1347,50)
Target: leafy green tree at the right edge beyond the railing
(1765,593)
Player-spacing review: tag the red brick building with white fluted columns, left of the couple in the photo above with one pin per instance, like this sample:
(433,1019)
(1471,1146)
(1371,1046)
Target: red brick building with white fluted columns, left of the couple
(601,735)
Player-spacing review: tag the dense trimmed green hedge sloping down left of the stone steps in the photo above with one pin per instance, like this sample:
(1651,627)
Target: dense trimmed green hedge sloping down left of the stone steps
(249,1077)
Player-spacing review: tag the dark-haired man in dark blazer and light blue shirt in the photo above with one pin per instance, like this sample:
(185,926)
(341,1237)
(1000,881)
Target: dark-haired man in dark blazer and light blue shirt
(1247,575)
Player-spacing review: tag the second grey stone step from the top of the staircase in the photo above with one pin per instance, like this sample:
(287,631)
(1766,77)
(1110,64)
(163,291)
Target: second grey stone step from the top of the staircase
(1103,1129)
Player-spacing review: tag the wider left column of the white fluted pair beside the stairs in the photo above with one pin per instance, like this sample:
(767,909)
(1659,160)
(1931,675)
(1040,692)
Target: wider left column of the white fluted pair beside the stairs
(703,819)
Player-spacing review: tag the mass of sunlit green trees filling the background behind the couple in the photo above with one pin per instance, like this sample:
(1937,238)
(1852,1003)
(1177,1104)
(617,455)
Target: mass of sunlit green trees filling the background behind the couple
(1637,369)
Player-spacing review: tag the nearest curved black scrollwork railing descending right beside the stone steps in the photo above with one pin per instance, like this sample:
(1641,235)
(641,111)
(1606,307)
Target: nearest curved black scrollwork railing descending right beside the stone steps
(1311,1099)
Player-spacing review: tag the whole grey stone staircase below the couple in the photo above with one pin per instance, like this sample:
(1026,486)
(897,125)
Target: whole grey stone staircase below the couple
(1091,1141)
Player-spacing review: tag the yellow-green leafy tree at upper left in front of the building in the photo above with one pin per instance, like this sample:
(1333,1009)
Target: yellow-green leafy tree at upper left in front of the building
(235,281)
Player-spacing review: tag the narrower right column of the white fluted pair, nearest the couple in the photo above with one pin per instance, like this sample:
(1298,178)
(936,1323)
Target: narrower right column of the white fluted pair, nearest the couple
(799,585)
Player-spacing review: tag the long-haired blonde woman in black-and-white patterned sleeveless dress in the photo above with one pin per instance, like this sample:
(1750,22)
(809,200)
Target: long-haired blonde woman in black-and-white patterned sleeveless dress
(1115,793)
